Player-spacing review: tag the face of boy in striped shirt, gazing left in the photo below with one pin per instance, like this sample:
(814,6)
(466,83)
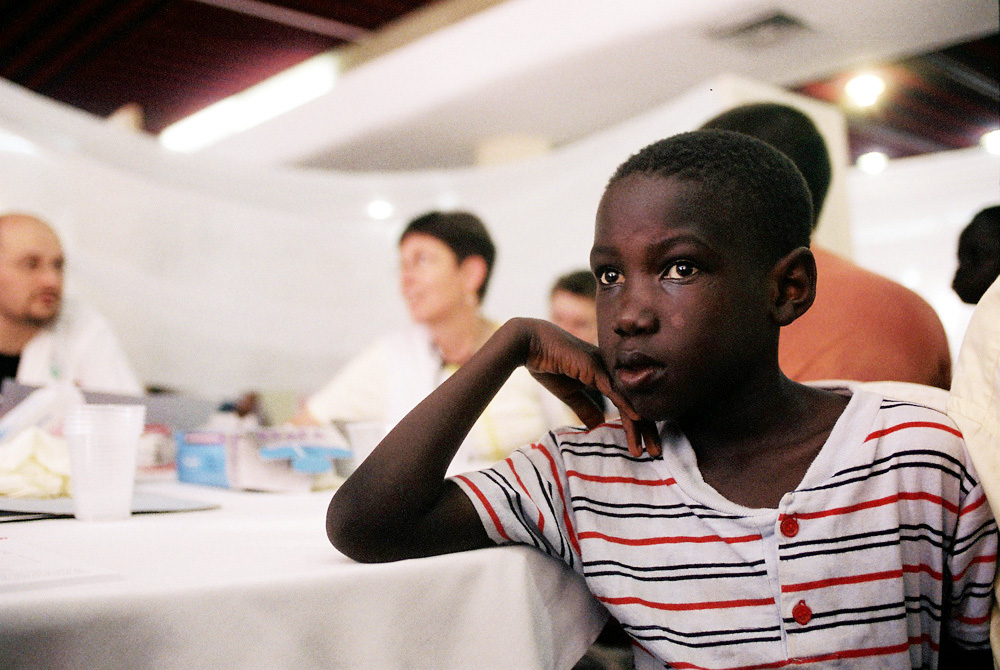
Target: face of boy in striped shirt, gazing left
(683,306)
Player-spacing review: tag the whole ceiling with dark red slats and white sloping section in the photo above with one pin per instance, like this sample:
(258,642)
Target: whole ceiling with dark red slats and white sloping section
(173,57)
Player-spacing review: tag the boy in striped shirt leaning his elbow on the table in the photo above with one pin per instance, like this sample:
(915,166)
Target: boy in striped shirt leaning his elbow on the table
(768,523)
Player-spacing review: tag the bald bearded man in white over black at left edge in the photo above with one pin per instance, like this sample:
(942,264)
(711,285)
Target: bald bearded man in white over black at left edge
(43,338)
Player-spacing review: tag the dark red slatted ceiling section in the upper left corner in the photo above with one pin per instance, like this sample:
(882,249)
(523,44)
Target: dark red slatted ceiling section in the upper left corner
(172,57)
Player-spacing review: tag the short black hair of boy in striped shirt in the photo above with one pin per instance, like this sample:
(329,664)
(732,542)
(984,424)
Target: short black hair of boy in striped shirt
(741,179)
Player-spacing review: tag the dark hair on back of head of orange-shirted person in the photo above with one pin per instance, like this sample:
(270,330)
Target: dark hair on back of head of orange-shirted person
(792,133)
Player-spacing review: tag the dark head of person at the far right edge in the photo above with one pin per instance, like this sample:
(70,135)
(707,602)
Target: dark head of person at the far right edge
(978,256)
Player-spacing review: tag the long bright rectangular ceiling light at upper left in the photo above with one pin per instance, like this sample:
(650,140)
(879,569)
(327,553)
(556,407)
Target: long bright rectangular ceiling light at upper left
(270,98)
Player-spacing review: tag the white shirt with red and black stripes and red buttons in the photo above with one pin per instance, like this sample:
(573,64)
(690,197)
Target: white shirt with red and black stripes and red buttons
(888,528)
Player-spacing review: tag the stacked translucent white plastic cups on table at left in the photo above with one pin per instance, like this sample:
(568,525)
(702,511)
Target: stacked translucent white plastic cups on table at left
(103,442)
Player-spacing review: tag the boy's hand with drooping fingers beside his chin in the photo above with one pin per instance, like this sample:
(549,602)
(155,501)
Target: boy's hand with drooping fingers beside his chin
(566,365)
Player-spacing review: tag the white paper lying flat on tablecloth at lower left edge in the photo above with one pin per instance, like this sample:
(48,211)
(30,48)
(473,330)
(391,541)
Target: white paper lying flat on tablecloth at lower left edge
(25,567)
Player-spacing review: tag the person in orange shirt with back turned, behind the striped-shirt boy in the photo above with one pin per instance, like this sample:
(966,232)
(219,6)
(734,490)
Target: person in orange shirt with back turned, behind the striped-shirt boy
(862,326)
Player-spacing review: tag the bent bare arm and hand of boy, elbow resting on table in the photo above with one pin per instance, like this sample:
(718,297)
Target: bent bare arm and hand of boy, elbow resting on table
(397,504)
